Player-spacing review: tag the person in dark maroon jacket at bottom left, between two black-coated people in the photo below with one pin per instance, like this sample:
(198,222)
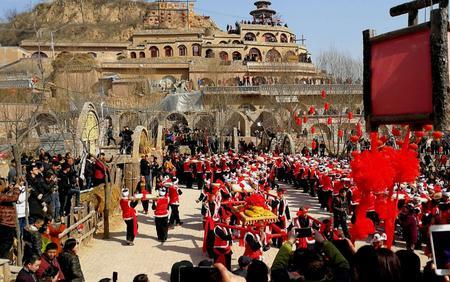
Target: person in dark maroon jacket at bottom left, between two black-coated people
(49,270)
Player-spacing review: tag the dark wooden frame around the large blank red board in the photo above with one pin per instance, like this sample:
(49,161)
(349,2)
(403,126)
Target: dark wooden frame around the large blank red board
(438,28)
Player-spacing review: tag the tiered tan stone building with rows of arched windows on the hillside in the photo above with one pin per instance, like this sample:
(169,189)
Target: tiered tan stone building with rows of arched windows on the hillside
(254,72)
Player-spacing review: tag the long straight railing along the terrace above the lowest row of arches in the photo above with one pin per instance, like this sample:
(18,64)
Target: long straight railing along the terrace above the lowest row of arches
(286,89)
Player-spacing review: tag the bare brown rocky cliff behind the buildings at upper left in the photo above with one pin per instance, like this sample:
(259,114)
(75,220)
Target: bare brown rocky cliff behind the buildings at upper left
(75,20)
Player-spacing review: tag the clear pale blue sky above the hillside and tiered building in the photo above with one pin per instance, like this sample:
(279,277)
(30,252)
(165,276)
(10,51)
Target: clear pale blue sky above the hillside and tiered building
(324,24)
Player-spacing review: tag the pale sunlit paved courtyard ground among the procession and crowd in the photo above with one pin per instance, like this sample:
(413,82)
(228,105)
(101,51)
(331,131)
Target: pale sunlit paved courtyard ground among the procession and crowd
(101,257)
